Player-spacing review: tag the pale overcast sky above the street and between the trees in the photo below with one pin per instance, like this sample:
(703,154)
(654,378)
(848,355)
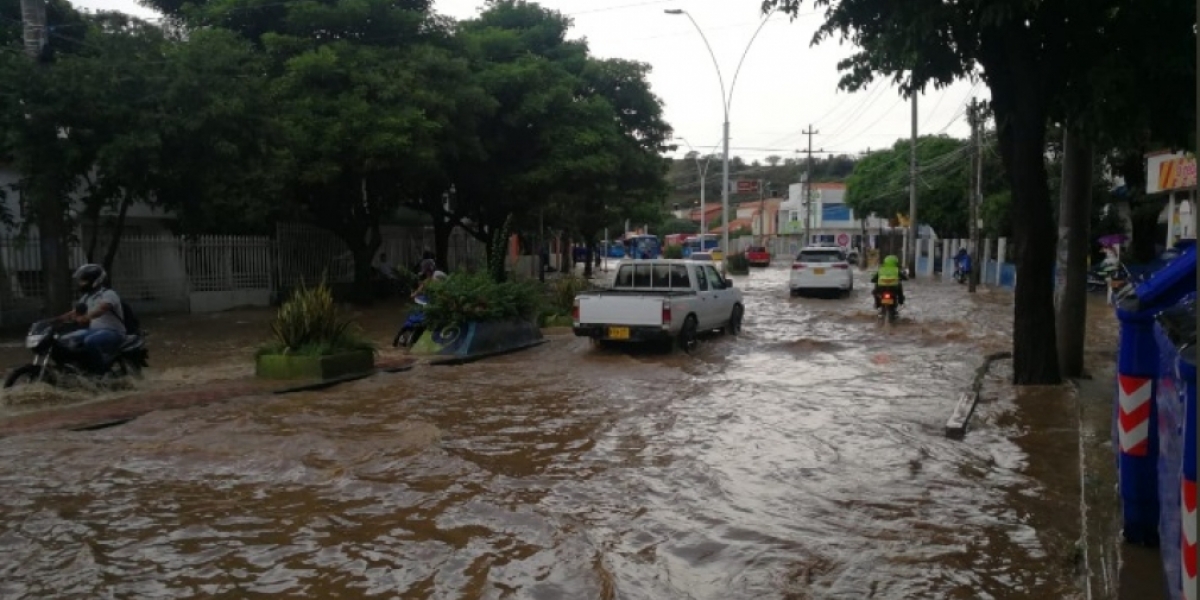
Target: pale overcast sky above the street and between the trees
(784,85)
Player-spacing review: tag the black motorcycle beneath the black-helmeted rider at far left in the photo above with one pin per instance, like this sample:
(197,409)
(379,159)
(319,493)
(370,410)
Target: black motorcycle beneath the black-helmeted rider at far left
(59,362)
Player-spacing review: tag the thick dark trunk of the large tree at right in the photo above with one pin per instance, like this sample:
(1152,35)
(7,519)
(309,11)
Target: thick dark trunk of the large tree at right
(1022,118)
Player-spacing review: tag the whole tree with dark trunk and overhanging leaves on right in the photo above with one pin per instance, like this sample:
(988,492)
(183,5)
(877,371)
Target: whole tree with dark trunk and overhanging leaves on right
(1028,53)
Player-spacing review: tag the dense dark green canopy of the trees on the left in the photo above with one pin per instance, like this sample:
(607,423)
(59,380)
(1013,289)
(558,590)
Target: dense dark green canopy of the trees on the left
(237,113)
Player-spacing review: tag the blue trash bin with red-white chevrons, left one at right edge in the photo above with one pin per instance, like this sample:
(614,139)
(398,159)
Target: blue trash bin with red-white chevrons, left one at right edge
(1135,411)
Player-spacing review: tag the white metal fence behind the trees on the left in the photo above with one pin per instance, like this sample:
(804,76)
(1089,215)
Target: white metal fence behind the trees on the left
(161,274)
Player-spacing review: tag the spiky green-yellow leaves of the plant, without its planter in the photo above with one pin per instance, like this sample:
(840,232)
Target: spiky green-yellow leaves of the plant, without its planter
(309,323)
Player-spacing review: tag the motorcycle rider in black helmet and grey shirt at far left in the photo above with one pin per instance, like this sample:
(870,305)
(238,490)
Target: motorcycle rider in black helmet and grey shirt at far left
(100,311)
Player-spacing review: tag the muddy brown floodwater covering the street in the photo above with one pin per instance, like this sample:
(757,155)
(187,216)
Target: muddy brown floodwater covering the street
(805,459)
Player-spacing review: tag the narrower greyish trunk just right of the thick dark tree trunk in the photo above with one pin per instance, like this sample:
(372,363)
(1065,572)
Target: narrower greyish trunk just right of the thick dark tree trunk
(1075,223)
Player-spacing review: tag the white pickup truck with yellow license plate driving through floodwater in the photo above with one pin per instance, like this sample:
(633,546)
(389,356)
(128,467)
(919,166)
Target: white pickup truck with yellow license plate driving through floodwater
(661,301)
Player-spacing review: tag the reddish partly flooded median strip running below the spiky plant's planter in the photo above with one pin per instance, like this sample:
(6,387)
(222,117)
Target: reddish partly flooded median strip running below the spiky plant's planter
(124,409)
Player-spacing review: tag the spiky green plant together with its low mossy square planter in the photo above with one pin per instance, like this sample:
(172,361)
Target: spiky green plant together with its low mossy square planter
(311,340)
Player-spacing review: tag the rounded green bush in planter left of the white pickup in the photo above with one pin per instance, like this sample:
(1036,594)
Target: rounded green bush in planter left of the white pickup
(461,298)
